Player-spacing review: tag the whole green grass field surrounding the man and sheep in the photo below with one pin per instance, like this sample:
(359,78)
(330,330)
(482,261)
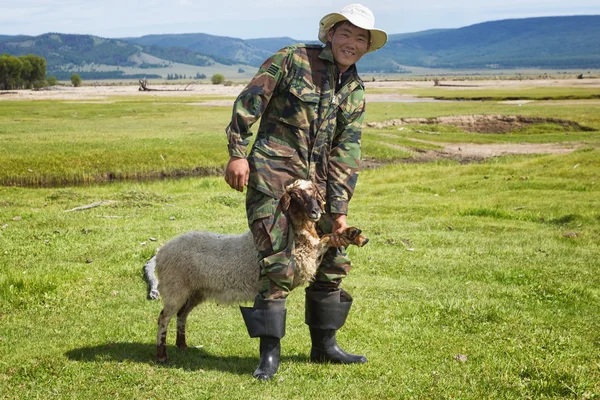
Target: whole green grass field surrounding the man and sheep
(480,280)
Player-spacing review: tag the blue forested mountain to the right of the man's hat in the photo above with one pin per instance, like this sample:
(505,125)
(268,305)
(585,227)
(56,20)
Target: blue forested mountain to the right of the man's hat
(548,42)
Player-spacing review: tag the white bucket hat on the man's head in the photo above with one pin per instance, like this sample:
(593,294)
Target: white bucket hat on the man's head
(358,15)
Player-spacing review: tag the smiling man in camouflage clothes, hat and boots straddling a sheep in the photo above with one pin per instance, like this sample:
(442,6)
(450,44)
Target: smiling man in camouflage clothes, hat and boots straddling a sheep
(311,103)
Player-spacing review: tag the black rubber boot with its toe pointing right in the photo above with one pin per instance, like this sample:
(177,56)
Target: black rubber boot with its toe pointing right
(326,312)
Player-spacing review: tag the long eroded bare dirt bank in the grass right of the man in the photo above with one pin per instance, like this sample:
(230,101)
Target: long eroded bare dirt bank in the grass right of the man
(482,123)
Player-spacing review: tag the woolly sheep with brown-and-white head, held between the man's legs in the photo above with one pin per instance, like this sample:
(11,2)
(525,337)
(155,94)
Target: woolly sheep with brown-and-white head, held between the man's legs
(198,266)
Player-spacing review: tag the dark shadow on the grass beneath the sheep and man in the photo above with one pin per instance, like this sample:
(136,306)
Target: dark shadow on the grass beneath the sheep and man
(192,359)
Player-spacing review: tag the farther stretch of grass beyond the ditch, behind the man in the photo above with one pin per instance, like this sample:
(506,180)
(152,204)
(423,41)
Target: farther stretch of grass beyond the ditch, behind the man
(135,138)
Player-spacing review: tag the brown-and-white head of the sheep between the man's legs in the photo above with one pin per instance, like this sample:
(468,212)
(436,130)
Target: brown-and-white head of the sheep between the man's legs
(302,197)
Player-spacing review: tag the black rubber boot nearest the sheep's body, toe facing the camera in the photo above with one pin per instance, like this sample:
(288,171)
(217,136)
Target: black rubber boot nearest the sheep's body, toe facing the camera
(266,320)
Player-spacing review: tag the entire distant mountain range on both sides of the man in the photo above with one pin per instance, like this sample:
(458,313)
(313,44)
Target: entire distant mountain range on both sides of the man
(546,42)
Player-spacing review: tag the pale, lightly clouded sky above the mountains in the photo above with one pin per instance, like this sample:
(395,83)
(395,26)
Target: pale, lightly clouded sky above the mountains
(248,19)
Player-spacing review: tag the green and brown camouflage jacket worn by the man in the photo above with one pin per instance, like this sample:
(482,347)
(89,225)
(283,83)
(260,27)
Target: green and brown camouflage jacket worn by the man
(307,130)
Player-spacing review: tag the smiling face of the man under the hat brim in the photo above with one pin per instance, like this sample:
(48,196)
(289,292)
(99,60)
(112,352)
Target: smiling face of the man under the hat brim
(349,43)
